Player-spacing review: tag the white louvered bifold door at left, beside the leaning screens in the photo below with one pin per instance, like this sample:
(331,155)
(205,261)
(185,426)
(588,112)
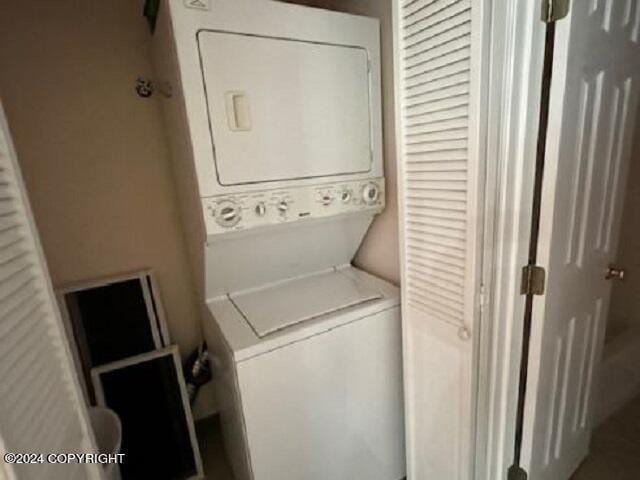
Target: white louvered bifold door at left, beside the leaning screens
(41,409)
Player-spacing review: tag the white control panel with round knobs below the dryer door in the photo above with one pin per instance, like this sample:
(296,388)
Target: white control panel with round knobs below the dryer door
(229,213)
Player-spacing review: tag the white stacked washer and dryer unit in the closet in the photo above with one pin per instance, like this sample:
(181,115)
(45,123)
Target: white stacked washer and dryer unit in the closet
(274,116)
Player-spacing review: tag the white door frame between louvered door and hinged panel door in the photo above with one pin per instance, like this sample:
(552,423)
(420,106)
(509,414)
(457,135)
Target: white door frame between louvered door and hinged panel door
(517,55)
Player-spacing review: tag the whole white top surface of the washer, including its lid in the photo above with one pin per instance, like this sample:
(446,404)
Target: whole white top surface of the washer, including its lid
(261,320)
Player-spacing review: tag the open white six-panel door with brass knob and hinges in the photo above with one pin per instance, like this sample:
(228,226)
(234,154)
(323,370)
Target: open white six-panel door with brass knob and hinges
(594,101)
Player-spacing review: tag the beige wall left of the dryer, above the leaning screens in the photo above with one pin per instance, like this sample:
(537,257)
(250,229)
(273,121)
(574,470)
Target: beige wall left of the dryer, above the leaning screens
(92,152)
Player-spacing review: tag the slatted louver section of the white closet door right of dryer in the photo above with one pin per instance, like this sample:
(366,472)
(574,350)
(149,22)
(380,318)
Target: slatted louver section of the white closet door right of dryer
(435,73)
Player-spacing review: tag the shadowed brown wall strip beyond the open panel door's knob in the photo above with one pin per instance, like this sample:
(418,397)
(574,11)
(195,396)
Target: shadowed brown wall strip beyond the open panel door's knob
(625,302)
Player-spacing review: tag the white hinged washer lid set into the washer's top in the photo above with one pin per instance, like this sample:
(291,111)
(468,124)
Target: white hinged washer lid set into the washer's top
(284,304)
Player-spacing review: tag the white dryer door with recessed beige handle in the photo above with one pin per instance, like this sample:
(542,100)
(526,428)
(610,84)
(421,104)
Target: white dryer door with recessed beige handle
(282,109)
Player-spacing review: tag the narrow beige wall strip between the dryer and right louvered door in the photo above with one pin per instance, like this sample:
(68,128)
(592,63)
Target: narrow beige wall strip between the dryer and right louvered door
(379,252)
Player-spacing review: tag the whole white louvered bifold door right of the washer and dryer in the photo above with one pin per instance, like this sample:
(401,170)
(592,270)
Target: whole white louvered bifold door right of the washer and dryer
(437,105)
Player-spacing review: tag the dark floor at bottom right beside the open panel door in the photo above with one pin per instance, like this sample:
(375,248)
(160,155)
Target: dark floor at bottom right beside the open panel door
(615,448)
